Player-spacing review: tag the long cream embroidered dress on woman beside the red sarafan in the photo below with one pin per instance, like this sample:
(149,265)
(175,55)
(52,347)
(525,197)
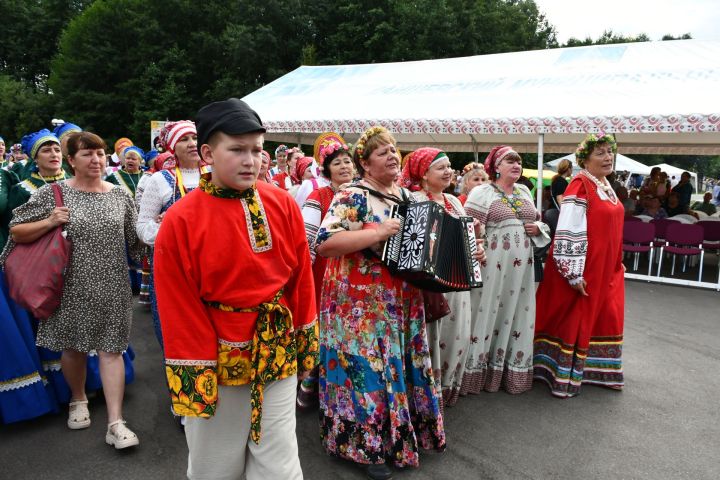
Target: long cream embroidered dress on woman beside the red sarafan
(503,311)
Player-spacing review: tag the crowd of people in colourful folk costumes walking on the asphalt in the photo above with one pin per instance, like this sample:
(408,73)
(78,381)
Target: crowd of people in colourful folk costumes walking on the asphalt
(268,293)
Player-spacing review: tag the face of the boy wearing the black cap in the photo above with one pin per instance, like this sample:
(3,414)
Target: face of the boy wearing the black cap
(235,159)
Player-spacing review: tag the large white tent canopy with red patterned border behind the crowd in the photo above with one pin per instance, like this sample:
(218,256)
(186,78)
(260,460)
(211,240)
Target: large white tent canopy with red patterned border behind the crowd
(658,97)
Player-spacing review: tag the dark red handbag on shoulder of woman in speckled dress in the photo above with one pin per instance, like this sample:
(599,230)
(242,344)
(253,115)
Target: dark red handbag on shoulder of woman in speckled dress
(35,271)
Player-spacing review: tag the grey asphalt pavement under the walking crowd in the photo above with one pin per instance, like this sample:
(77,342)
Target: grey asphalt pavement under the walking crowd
(664,425)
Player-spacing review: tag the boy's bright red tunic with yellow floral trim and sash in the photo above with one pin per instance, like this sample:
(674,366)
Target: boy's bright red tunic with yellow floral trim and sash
(214,255)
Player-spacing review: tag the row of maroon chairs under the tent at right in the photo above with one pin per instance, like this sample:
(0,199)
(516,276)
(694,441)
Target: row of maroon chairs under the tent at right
(672,237)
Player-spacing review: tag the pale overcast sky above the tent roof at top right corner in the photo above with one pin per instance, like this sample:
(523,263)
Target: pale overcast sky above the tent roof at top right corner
(583,18)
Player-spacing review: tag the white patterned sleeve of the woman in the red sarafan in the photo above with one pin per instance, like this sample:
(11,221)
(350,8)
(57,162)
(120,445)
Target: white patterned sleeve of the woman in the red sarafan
(570,247)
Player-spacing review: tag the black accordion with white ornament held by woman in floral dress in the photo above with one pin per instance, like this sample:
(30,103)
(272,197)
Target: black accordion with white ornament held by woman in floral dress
(433,250)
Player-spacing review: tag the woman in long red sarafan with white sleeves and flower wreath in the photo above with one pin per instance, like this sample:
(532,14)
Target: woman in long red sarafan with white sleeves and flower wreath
(579,325)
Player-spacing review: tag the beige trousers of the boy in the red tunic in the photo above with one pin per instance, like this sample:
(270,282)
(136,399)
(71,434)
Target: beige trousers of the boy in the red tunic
(221,447)
